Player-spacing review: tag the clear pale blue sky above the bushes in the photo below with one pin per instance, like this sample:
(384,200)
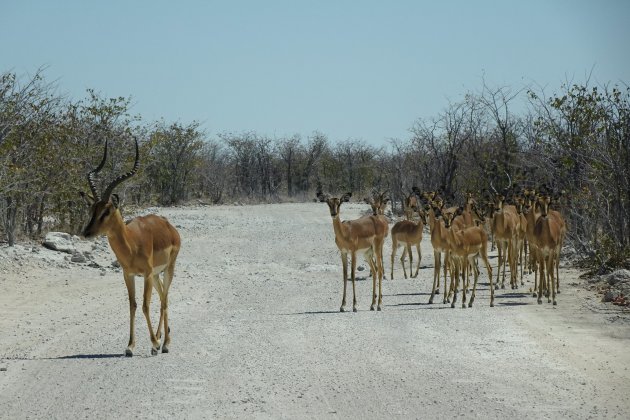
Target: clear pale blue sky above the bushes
(350,69)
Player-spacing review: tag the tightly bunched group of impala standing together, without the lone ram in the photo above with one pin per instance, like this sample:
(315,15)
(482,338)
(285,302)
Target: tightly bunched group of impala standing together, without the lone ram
(519,221)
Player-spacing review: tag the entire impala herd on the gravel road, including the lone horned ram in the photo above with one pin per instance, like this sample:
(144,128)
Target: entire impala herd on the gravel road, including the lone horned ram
(519,221)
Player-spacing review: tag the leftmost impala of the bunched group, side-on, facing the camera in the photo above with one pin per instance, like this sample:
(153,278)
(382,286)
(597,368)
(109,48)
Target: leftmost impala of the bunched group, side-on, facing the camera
(366,235)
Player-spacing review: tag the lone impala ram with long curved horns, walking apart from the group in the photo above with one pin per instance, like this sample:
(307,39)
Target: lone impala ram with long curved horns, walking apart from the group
(146,246)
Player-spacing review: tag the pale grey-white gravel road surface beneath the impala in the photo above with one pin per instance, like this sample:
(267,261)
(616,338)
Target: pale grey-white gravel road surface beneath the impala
(257,333)
